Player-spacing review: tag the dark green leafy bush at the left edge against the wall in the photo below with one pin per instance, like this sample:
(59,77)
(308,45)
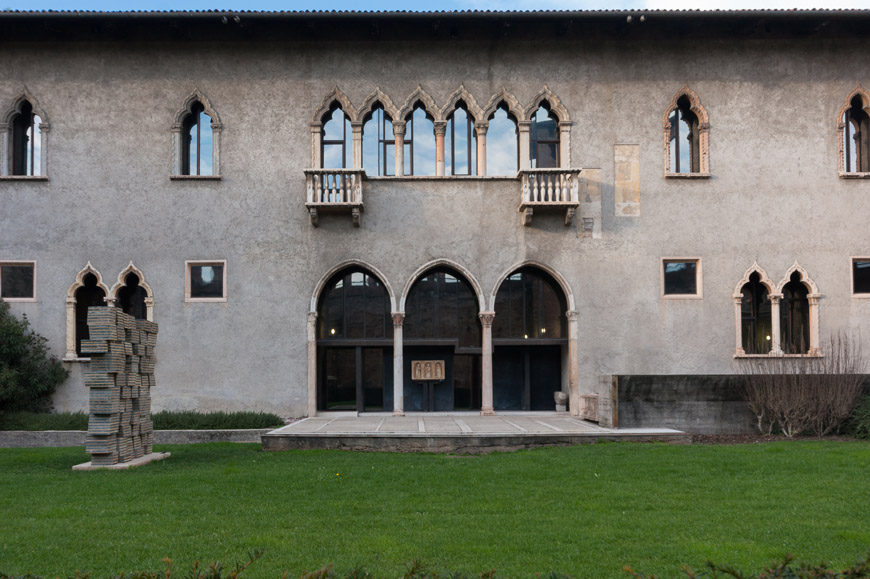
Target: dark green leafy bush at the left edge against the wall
(29,375)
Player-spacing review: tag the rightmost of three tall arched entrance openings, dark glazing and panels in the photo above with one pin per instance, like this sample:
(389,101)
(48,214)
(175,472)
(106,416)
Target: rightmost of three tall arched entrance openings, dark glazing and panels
(530,341)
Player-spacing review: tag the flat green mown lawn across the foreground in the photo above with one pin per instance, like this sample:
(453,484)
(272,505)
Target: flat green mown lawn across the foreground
(584,511)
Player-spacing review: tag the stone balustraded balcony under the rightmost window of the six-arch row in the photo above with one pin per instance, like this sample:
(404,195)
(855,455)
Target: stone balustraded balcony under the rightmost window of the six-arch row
(549,189)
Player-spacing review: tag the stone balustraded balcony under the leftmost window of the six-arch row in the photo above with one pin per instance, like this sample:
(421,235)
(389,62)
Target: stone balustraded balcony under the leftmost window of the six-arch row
(334,191)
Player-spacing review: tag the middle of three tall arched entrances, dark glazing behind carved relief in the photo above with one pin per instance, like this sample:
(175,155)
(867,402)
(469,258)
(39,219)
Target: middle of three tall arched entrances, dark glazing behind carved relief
(441,324)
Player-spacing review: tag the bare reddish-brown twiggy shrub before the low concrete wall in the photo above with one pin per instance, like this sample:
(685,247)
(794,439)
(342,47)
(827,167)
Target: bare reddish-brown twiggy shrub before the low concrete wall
(796,395)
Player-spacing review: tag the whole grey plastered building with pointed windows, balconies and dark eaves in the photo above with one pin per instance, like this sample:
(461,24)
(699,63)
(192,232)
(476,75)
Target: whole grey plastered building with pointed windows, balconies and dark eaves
(620,205)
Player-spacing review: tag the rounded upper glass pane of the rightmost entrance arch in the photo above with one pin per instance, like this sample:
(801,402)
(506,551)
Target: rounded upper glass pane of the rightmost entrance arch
(529,305)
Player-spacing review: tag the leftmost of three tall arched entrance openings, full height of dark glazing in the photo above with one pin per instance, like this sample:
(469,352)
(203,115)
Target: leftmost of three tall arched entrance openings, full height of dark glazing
(354,343)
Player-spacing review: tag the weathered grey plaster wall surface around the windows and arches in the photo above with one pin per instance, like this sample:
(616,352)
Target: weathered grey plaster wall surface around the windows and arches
(774,195)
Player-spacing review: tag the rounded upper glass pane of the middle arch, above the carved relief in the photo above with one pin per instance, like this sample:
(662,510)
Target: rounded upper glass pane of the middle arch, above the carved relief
(442,306)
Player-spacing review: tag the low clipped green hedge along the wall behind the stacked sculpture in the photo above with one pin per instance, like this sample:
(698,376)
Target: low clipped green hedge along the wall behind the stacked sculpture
(162,420)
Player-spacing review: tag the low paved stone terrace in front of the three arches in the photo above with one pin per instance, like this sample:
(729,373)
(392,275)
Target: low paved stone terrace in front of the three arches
(454,432)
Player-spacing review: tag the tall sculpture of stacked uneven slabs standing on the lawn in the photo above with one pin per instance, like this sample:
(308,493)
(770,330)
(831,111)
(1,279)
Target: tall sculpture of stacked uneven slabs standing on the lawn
(120,380)
